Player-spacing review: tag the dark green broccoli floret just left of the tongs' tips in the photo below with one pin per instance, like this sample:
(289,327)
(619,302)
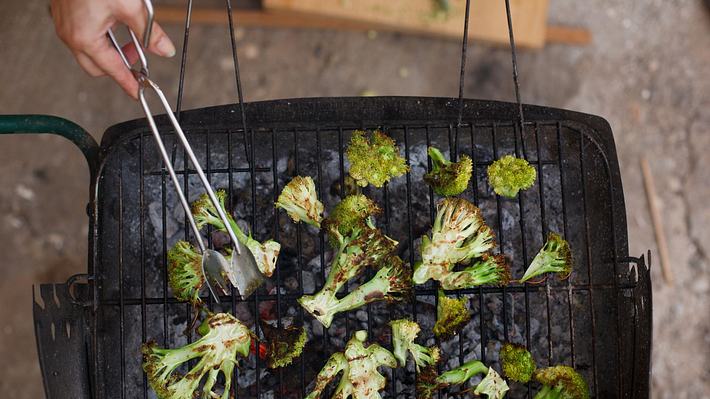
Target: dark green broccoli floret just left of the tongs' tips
(185,272)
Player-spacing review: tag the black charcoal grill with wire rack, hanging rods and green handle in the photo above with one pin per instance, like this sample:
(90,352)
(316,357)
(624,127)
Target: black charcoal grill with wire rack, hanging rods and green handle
(89,329)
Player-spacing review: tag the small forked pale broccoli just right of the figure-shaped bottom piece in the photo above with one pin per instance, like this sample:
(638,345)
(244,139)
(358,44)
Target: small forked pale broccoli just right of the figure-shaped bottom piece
(404,332)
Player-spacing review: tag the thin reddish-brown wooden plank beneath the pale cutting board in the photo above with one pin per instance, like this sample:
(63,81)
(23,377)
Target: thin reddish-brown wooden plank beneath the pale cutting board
(282,19)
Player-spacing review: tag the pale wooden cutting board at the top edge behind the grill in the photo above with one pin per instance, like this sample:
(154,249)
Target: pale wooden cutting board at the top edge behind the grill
(487,17)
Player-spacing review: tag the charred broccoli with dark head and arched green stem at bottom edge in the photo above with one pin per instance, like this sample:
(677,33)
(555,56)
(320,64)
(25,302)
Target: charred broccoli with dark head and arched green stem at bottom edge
(492,385)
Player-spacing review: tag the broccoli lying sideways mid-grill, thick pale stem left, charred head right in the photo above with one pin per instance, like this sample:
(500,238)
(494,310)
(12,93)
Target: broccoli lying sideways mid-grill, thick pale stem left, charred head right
(392,282)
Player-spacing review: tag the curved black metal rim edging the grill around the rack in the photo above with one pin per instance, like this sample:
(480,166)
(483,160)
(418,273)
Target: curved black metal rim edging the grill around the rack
(394,109)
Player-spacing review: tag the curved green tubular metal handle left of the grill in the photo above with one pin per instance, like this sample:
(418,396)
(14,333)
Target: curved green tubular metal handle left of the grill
(46,124)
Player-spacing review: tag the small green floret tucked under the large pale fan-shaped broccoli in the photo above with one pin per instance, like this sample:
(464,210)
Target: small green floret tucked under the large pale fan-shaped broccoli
(489,270)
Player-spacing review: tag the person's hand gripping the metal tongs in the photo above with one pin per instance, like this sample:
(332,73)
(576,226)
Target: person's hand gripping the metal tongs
(83,24)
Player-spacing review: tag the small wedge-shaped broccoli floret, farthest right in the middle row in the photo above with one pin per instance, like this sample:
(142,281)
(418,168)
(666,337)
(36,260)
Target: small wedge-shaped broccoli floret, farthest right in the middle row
(554,257)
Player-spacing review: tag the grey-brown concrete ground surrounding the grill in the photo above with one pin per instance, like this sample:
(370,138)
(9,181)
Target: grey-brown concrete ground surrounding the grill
(647,72)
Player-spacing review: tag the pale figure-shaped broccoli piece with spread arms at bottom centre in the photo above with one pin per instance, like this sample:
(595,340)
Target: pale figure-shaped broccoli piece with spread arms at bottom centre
(359,365)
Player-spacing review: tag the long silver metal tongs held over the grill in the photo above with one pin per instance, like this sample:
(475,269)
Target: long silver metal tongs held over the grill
(242,272)
